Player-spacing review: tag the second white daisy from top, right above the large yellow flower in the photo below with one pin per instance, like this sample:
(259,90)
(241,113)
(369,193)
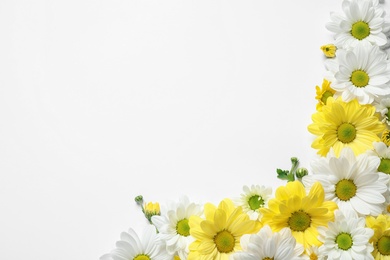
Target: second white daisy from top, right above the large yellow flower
(362,73)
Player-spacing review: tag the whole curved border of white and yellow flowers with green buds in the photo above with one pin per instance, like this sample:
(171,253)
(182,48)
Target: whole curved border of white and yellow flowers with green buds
(338,210)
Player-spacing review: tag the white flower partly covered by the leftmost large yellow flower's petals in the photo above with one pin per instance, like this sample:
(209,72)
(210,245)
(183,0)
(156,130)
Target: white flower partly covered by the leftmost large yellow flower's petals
(173,226)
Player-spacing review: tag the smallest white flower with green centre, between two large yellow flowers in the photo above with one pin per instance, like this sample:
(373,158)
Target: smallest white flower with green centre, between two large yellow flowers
(253,199)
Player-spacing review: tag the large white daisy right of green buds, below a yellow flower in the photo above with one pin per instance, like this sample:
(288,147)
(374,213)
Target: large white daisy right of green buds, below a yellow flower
(352,182)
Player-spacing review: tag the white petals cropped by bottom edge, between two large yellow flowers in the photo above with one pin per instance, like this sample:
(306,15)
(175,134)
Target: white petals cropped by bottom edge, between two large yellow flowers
(268,245)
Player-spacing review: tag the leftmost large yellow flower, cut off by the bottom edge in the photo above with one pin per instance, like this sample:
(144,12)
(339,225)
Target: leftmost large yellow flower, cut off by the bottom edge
(218,236)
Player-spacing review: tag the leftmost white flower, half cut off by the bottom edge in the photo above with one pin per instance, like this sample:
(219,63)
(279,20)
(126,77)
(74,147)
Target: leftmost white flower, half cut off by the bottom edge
(132,247)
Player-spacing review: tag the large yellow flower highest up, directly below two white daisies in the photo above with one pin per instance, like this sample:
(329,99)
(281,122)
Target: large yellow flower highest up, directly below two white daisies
(340,124)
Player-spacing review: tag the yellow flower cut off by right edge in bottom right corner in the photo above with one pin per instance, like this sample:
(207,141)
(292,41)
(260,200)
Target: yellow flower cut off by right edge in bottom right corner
(381,238)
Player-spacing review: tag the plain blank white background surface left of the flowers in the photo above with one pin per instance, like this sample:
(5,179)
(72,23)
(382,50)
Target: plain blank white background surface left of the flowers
(101,101)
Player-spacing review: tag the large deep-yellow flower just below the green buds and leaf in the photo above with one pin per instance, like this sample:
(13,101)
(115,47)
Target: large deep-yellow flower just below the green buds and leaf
(302,213)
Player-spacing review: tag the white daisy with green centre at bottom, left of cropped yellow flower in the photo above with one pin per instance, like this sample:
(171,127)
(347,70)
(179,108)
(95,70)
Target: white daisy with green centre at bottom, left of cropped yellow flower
(346,238)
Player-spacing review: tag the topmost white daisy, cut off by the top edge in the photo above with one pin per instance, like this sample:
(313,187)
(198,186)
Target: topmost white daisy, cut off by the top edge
(363,23)
